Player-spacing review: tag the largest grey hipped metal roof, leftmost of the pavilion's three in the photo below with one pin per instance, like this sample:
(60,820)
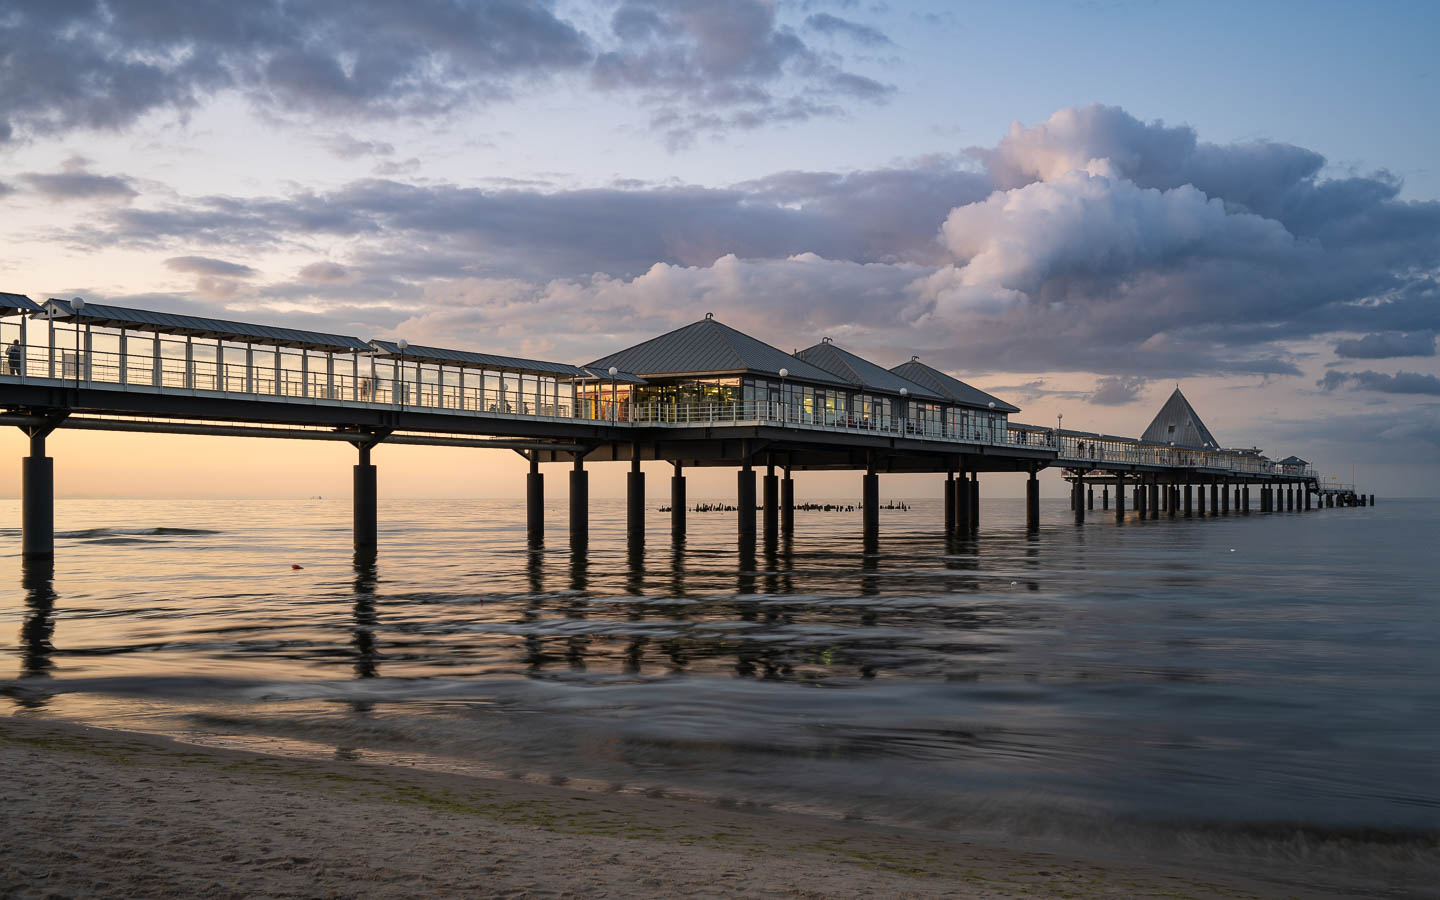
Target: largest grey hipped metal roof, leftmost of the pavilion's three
(708,348)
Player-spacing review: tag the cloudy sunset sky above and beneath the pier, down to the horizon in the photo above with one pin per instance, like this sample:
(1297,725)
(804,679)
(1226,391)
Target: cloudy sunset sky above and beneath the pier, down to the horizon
(1074,205)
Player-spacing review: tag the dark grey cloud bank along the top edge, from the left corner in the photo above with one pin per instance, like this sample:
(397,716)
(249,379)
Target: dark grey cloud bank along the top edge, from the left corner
(699,66)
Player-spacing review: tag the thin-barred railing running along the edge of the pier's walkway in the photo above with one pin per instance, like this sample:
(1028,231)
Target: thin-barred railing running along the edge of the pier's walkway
(364,381)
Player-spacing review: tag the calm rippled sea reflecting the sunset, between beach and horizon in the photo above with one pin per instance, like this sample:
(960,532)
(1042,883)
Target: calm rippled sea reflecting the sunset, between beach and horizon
(1255,686)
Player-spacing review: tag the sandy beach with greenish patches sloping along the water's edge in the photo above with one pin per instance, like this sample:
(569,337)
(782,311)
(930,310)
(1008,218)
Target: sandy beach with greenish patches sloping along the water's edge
(90,813)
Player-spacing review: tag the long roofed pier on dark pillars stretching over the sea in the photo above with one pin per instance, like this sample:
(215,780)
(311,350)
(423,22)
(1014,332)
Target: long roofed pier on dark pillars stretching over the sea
(705,395)
